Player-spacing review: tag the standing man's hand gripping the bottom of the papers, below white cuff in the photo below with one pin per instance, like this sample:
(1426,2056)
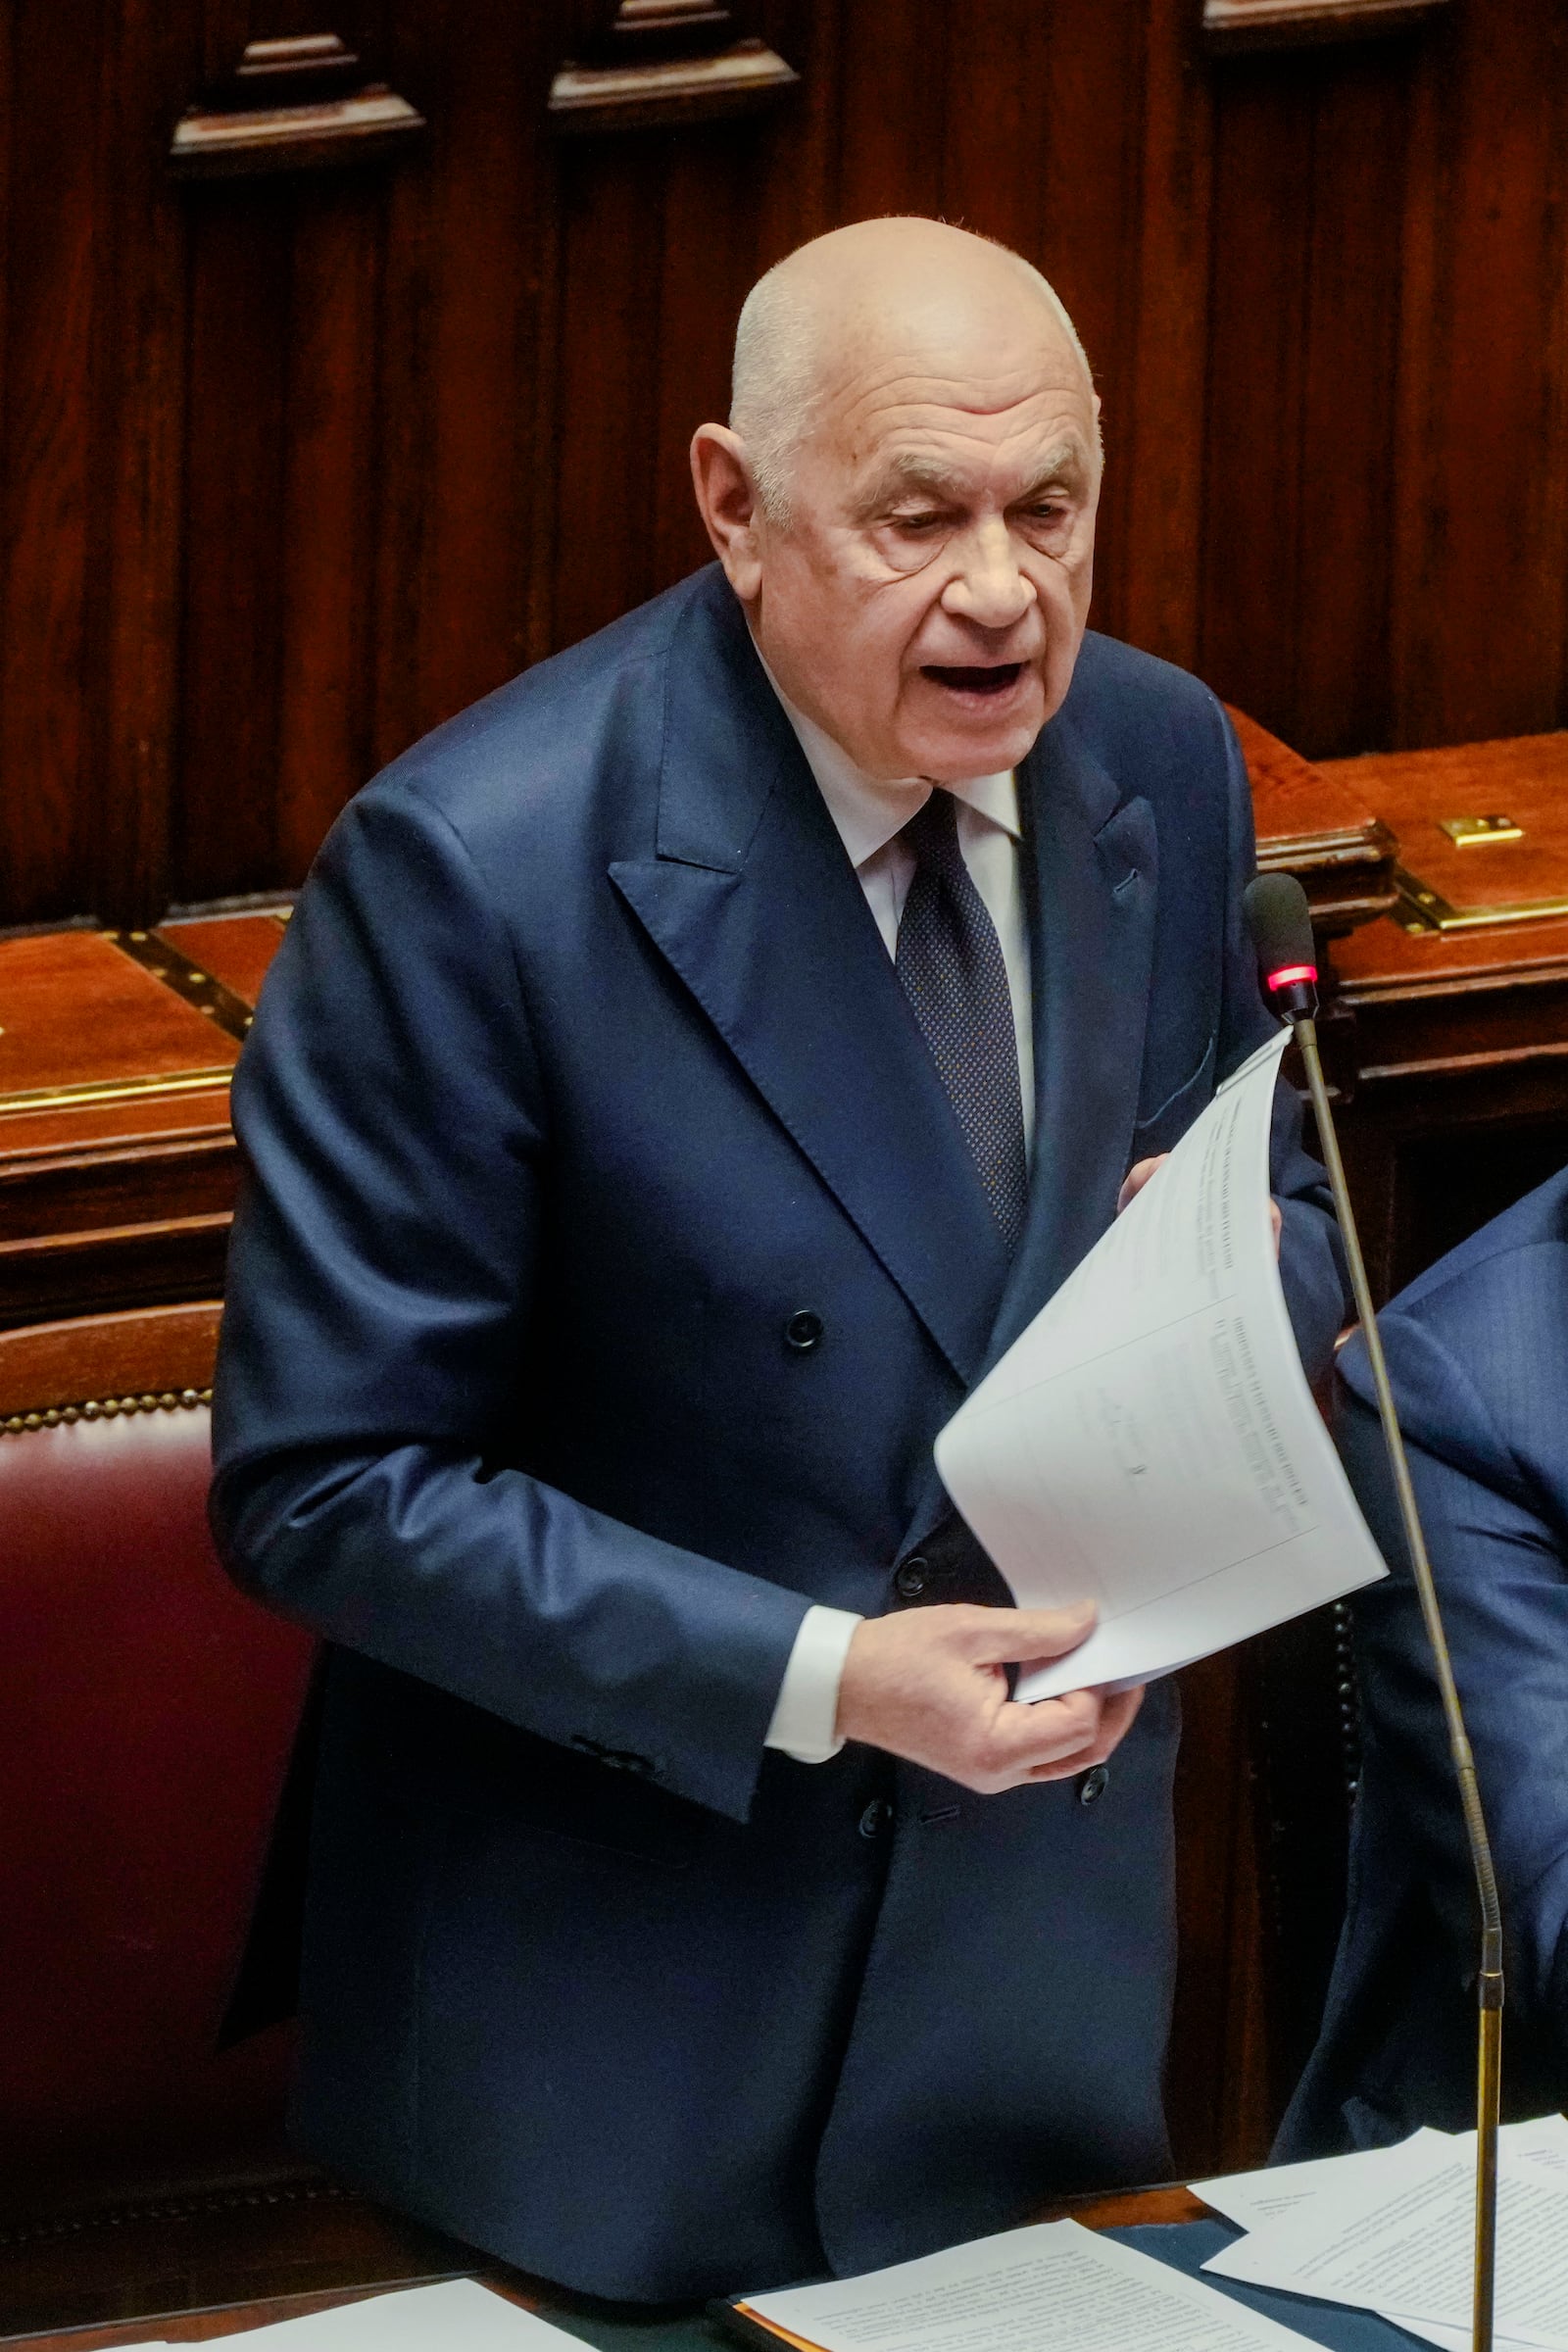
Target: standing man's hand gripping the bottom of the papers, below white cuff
(930,1685)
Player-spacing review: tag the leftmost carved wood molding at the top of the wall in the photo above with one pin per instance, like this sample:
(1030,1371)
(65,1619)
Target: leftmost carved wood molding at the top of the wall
(293,107)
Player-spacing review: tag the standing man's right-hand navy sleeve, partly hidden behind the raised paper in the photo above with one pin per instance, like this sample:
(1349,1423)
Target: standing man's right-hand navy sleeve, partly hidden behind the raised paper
(1311,1255)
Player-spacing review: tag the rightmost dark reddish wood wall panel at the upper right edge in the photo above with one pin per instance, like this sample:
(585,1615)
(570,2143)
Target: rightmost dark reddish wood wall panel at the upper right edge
(1477,641)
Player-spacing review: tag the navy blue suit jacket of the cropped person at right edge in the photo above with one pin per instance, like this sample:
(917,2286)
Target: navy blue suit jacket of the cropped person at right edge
(1480,1365)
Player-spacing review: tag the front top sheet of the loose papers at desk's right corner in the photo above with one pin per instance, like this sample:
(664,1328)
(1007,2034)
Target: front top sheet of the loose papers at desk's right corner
(1405,2247)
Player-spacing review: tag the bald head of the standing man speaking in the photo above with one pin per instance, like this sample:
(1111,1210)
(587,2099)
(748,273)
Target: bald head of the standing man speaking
(904,497)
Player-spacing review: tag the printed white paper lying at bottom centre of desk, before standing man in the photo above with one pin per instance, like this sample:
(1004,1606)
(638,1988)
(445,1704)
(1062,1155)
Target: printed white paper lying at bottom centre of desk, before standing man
(1024,2292)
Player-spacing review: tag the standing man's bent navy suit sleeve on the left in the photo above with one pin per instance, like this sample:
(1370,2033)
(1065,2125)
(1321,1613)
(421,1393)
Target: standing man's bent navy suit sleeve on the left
(382,1283)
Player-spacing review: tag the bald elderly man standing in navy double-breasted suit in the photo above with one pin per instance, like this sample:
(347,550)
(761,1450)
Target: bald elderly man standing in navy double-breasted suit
(683,1076)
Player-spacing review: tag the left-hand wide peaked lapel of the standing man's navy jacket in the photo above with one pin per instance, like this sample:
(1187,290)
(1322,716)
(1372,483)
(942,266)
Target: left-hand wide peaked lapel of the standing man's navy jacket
(758,909)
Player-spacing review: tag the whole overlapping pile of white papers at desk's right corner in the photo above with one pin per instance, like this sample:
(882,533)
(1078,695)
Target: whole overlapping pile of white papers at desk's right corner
(1393,2231)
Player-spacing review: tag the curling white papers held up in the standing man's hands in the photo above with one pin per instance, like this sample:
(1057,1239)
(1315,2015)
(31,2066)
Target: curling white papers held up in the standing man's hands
(1151,1441)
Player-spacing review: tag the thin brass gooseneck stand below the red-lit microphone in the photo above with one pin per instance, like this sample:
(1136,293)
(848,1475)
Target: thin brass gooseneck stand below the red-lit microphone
(1489,1984)
